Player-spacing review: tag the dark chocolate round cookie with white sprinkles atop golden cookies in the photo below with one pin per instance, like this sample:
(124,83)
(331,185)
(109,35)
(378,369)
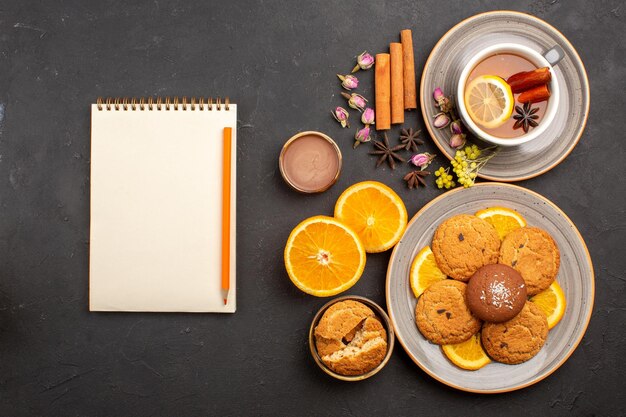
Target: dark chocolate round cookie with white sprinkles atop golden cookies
(496,293)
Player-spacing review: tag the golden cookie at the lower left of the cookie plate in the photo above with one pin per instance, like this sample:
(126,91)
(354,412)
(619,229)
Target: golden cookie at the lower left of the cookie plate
(442,314)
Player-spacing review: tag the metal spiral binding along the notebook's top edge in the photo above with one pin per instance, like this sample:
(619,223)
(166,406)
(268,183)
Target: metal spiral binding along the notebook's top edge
(143,103)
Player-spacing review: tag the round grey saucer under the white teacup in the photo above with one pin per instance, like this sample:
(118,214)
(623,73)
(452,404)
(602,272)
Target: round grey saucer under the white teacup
(446,61)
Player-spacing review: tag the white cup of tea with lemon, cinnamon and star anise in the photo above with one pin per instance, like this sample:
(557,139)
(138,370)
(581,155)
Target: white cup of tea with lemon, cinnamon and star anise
(507,93)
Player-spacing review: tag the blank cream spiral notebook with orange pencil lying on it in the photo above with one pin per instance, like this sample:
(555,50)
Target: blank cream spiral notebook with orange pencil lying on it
(157,189)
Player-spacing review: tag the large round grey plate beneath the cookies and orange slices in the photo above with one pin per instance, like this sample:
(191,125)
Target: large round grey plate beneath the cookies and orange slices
(575,277)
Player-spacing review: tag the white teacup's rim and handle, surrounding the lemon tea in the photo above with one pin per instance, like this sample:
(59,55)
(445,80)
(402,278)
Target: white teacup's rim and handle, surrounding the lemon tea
(551,57)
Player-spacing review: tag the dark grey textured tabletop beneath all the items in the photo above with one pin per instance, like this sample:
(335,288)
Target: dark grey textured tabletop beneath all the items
(278,62)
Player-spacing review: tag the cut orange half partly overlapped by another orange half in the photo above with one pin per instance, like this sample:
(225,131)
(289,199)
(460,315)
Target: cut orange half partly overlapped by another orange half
(375,212)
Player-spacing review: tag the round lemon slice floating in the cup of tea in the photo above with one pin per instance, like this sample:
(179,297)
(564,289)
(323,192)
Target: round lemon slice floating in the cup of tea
(489,101)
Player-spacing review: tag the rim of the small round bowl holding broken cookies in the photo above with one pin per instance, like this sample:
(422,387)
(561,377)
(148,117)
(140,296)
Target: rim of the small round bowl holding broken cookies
(380,314)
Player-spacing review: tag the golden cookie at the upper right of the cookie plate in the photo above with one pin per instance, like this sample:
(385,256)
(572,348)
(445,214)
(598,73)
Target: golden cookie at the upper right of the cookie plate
(533,253)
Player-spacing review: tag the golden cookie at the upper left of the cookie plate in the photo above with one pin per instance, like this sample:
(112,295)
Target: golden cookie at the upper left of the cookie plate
(464,243)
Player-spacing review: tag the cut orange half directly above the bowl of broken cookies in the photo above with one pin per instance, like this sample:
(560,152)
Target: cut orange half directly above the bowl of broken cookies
(323,256)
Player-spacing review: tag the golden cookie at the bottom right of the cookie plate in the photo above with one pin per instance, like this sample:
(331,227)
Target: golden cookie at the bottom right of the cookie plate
(519,339)
